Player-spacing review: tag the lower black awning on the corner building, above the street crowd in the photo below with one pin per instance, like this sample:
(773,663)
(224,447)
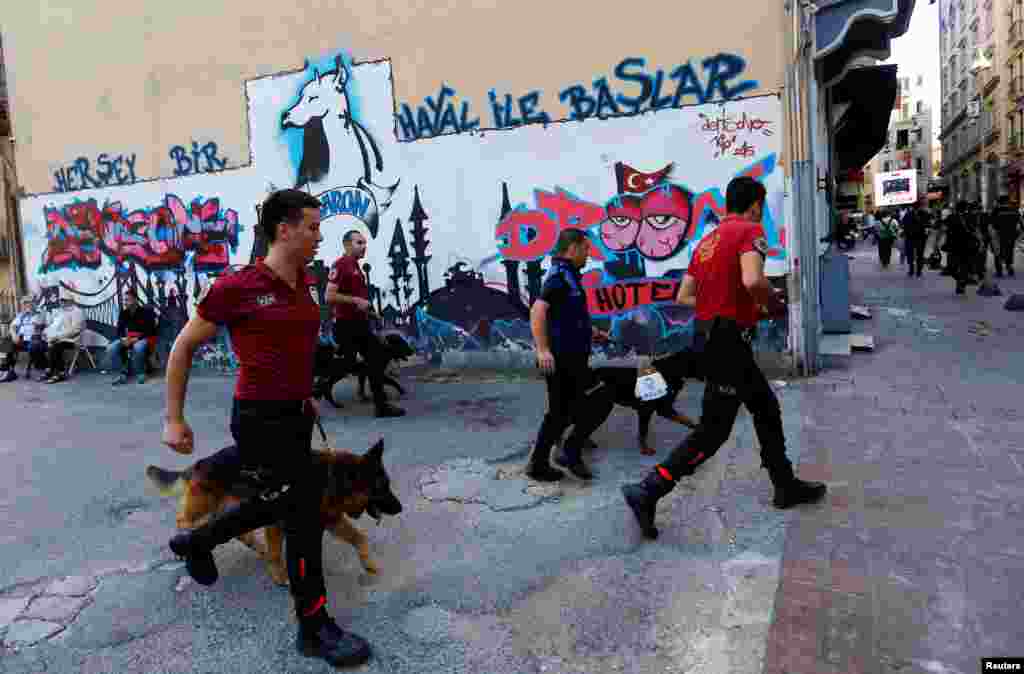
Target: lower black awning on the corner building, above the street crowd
(863,130)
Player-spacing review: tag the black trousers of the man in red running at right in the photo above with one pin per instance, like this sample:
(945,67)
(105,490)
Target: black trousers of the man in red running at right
(734,378)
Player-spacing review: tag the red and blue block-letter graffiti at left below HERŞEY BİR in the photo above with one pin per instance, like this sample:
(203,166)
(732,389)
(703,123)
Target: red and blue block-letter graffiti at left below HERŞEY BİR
(81,234)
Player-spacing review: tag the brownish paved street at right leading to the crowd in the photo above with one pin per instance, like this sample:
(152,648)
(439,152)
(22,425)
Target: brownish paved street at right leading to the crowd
(917,566)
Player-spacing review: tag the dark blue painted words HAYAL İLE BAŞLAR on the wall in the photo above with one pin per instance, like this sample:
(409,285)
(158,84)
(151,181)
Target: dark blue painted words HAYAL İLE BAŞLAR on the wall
(720,80)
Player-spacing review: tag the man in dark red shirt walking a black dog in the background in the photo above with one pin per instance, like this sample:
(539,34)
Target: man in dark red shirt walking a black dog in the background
(348,291)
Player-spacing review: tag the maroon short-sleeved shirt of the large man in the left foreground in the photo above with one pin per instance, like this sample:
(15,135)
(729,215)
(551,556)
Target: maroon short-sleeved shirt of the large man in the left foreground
(274,330)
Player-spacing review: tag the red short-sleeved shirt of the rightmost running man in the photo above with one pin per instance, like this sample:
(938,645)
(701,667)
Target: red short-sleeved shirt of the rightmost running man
(715,267)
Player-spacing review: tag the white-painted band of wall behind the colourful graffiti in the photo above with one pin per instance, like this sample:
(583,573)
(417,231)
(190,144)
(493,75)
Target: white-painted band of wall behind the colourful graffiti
(569,166)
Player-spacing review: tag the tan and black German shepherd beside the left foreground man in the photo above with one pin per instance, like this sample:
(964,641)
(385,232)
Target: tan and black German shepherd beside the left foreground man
(355,485)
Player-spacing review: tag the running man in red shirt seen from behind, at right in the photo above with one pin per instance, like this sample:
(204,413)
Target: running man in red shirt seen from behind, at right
(728,286)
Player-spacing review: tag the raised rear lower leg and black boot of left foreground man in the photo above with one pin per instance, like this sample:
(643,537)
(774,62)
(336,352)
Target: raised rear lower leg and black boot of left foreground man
(196,547)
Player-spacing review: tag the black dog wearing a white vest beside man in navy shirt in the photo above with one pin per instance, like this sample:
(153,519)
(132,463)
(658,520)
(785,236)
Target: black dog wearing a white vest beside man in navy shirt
(676,369)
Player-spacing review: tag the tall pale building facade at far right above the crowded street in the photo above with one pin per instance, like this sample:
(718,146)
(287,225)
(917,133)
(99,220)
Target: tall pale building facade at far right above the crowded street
(979,89)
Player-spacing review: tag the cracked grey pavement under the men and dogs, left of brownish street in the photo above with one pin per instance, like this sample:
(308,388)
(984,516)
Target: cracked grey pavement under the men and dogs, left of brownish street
(484,572)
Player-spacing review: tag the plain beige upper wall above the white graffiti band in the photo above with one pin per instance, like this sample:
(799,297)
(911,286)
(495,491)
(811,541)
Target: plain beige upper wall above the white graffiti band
(93,77)
